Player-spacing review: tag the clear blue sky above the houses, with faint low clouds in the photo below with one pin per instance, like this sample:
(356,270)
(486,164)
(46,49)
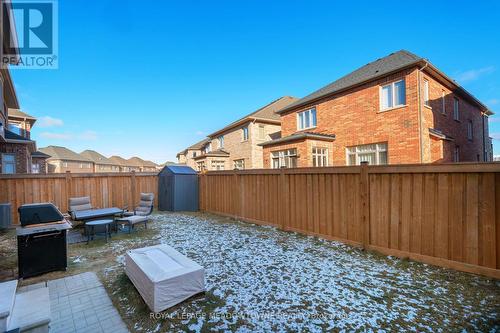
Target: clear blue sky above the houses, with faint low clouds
(149,78)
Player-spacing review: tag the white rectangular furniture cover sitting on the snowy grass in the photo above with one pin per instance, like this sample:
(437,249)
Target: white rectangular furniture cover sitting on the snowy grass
(163,276)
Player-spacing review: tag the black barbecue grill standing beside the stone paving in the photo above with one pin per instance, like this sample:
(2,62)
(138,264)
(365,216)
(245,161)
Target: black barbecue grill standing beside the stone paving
(41,240)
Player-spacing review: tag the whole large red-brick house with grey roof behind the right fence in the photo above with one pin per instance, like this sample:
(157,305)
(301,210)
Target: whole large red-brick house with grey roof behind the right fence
(397,109)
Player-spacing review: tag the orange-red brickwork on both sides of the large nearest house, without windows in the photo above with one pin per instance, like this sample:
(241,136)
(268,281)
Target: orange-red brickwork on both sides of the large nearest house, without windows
(355,117)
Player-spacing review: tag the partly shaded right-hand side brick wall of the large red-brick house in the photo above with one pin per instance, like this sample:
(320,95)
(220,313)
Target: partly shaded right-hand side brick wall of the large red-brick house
(435,118)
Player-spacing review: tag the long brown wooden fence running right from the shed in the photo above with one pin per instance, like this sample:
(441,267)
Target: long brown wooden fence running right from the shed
(446,215)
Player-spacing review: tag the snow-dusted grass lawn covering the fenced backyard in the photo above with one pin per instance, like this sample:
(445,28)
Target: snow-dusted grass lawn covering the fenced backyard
(261,279)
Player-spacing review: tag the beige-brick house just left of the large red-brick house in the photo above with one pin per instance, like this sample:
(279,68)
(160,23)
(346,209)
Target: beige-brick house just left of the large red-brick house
(236,146)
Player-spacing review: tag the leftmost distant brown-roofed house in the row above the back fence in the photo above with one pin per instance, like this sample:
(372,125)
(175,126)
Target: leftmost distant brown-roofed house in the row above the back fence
(62,160)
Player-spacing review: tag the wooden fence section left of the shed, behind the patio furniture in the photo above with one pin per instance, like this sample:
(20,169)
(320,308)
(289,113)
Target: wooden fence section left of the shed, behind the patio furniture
(104,189)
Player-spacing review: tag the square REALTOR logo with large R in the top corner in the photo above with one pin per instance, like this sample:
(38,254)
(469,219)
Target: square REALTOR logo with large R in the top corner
(29,33)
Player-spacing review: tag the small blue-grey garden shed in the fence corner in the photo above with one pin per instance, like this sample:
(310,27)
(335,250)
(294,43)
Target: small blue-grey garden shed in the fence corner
(178,189)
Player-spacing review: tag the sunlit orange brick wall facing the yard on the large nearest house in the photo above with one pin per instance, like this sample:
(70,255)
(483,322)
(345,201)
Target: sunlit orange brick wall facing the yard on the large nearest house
(355,118)
